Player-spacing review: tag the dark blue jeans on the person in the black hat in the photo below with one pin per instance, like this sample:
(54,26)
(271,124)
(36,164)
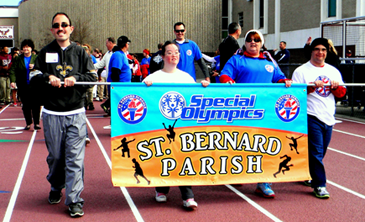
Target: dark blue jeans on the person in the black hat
(319,137)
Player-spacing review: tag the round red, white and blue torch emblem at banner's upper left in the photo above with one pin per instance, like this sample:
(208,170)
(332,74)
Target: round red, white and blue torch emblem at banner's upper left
(132,109)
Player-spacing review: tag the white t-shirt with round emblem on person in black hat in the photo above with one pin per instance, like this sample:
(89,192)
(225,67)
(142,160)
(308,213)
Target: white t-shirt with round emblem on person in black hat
(321,102)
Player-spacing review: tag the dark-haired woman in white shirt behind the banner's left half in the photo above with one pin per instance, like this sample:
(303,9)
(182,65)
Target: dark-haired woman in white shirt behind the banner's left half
(170,74)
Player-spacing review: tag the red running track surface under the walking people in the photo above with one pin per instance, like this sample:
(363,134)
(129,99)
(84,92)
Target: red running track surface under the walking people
(103,202)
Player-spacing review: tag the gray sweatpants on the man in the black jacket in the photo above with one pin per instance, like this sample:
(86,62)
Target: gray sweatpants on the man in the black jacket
(65,140)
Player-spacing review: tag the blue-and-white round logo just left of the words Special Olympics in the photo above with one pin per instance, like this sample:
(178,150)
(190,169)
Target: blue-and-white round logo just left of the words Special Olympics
(171,105)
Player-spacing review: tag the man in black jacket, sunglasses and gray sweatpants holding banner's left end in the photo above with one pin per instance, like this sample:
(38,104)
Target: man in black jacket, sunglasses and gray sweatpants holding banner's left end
(64,120)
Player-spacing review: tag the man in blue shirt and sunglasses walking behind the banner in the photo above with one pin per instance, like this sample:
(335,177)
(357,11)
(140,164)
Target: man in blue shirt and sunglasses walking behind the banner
(189,52)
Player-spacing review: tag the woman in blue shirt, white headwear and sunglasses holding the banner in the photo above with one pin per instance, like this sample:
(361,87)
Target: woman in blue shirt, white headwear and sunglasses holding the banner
(254,66)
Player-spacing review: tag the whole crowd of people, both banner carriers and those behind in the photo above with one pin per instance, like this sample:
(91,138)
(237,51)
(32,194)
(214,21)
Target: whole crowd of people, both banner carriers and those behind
(64,105)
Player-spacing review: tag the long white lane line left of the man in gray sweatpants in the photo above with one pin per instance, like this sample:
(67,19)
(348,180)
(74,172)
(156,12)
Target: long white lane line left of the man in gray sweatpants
(14,195)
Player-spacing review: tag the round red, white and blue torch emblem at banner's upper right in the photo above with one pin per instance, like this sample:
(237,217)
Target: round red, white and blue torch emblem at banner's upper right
(287,108)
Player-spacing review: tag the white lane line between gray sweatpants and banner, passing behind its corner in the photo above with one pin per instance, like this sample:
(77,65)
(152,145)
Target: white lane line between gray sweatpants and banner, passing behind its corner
(130,202)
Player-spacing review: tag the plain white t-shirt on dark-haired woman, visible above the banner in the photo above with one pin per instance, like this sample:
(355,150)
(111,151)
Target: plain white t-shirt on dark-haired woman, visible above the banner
(164,77)
